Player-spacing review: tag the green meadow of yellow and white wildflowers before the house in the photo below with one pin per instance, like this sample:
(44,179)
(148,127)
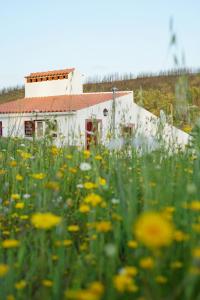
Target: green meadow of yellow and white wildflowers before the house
(98,224)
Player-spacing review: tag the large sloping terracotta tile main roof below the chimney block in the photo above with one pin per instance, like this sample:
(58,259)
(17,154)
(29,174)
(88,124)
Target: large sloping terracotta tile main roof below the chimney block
(64,103)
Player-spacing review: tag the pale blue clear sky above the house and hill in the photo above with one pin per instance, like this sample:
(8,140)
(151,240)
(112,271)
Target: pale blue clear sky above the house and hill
(97,37)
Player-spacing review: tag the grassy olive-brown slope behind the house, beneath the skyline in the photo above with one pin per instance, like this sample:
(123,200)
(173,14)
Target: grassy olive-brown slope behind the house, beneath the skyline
(154,93)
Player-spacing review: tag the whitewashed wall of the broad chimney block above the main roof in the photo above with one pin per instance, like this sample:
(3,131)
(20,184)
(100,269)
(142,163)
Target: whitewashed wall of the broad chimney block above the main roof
(72,85)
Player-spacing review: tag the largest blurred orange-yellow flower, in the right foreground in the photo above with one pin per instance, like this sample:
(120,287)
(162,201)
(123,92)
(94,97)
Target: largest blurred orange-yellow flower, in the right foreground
(153,230)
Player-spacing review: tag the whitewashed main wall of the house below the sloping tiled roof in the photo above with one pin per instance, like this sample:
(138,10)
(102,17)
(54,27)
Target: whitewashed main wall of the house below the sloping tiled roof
(72,130)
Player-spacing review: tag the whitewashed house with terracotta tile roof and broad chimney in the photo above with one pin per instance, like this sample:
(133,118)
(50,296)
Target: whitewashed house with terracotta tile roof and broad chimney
(55,106)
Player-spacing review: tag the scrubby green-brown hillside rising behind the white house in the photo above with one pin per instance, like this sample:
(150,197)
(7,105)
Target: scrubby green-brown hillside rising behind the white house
(169,93)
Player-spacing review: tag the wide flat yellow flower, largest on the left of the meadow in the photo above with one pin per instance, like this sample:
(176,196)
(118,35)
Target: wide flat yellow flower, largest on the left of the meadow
(45,220)
